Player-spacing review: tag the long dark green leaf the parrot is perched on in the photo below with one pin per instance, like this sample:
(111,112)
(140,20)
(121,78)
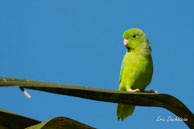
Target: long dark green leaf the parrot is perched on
(139,99)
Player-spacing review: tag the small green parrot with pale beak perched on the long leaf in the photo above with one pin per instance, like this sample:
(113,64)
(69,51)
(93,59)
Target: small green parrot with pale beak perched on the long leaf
(136,69)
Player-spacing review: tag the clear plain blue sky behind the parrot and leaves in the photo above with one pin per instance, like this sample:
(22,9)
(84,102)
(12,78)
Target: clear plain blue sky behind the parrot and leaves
(80,42)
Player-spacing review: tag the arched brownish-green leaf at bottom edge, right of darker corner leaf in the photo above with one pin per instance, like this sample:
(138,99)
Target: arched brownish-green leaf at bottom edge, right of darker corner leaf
(60,123)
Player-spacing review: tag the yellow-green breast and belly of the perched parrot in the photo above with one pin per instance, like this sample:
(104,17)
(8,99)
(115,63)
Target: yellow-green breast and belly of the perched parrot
(136,72)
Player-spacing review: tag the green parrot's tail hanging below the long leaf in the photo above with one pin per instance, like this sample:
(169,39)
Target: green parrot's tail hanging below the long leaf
(124,110)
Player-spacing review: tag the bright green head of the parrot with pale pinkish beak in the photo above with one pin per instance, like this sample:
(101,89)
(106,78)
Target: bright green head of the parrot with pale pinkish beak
(136,40)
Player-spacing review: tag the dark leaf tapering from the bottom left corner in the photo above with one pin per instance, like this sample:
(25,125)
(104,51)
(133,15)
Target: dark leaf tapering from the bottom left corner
(9,120)
